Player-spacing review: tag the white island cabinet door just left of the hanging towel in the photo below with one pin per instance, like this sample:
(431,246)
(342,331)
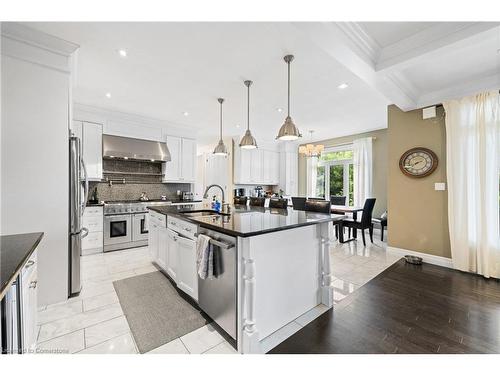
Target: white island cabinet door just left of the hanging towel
(187,277)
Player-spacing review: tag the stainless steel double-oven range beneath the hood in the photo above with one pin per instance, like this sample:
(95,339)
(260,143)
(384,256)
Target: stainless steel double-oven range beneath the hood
(126,223)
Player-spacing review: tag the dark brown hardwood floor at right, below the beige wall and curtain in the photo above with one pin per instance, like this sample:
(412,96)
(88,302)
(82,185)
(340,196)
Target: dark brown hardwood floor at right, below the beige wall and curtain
(408,309)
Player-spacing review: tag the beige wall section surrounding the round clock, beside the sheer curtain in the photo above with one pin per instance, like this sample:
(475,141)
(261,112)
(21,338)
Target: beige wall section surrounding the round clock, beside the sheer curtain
(418,215)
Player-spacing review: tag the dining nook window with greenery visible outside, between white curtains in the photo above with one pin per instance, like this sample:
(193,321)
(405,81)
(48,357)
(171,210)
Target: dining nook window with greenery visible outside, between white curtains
(335,173)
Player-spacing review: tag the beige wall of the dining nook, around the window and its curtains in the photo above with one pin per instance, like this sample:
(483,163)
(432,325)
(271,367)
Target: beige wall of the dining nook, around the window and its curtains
(379,166)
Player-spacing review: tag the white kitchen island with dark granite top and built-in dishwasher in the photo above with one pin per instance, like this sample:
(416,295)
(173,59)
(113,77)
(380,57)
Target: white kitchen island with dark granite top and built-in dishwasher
(273,266)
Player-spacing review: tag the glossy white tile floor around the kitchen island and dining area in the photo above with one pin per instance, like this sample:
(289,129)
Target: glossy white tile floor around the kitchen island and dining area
(94,322)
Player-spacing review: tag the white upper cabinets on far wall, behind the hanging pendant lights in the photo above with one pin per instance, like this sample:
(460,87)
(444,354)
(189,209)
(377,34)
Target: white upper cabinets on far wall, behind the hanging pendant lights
(258,166)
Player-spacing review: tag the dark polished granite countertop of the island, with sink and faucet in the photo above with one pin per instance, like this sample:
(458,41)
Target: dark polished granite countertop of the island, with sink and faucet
(251,221)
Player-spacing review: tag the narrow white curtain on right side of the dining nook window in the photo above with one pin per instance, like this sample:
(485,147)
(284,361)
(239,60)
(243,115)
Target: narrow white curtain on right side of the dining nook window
(363,170)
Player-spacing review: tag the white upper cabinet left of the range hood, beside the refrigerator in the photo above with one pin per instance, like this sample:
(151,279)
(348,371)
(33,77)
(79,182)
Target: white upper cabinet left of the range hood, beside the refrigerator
(90,135)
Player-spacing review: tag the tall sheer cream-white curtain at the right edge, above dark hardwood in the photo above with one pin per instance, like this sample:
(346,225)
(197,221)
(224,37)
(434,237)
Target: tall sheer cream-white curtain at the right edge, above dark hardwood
(473,153)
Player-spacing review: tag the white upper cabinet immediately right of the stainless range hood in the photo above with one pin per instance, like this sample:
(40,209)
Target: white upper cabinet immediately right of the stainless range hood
(182,167)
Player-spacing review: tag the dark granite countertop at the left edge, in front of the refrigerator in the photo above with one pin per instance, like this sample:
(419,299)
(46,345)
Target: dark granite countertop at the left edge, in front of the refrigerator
(15,251)
